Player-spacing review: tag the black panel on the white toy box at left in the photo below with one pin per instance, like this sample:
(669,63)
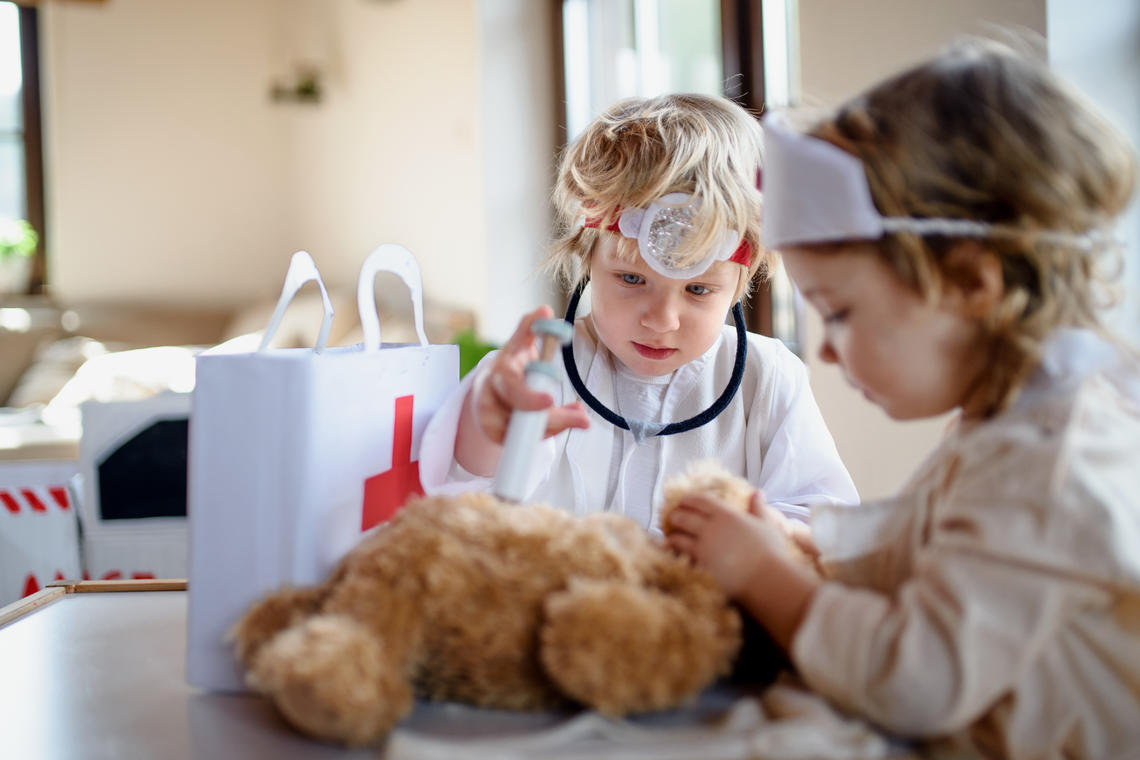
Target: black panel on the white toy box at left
(146,476)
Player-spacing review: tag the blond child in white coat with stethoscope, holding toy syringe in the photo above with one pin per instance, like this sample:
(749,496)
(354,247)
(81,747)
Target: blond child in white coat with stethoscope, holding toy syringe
(659,214)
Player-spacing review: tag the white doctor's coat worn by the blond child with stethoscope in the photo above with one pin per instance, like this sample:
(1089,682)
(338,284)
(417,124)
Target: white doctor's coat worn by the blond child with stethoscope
(772,435)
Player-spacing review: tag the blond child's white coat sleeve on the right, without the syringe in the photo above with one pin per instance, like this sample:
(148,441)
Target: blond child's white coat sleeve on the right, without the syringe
(800,463)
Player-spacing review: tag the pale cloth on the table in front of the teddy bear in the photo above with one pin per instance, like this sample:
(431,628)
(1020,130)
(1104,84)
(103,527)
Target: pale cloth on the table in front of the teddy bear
(786,723)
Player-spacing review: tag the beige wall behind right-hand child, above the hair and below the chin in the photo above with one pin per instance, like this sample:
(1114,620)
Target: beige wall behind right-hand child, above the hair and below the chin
(845,47)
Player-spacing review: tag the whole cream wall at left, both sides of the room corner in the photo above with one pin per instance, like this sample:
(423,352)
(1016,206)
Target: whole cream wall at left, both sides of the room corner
(173,177)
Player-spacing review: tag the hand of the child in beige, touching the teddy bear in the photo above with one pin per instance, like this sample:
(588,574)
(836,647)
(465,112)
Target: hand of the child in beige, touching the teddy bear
(734,546)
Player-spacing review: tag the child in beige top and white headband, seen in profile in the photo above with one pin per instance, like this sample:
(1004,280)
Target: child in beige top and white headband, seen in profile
(948,225)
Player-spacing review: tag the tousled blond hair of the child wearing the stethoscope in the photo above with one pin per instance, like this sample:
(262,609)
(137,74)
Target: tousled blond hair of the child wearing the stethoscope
(644,149)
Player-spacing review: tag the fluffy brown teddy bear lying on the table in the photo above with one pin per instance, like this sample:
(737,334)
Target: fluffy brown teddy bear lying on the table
(475,600)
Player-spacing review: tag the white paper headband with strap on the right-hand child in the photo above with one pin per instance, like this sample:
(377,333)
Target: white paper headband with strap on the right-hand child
(817,193)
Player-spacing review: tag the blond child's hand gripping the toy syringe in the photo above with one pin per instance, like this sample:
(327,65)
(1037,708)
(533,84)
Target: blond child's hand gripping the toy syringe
(503,388)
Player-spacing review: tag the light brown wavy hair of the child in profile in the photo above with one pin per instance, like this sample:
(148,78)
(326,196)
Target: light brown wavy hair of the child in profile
(987,134)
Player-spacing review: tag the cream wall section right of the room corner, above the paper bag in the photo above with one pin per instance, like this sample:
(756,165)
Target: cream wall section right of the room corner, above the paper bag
(393,156)
